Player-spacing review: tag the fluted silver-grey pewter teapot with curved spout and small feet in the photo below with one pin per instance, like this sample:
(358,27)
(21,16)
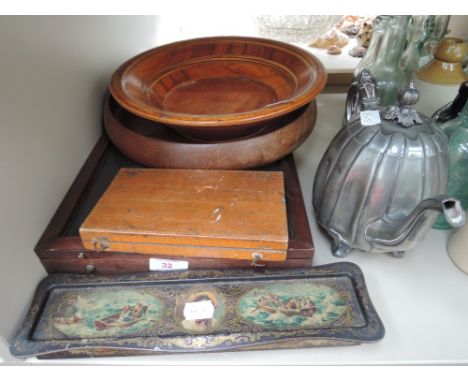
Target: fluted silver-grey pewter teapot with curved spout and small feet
(379,187)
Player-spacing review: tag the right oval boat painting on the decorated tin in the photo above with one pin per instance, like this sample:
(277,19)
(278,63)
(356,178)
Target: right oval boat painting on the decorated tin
(292,305)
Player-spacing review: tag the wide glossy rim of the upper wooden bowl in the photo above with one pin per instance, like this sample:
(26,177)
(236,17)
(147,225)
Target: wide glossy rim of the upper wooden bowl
(269,112)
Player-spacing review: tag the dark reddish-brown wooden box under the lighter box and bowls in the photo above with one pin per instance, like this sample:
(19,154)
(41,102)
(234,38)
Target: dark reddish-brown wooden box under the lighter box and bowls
(60,248)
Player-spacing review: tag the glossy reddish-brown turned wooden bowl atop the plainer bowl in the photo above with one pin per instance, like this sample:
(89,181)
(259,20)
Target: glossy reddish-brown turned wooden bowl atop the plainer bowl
(218,88)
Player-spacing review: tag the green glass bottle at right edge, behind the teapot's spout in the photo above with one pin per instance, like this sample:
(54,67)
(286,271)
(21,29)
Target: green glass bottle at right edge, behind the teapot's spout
(457,133)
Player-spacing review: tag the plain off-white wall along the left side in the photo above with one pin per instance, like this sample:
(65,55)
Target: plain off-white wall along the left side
(54,72)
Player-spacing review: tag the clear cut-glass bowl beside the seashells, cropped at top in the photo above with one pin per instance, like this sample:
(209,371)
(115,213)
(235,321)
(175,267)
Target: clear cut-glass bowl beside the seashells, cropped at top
(296,28)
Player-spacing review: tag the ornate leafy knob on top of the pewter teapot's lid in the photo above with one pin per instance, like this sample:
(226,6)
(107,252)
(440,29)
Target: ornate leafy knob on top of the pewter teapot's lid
(404,113)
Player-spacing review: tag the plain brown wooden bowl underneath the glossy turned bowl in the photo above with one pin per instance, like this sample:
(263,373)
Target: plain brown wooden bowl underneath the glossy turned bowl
(154,145)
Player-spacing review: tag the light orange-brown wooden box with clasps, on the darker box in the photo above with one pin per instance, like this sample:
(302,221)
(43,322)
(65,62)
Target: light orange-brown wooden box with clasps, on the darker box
(191,213)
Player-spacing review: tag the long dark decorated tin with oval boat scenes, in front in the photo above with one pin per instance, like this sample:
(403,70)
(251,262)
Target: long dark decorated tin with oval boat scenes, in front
(198,311)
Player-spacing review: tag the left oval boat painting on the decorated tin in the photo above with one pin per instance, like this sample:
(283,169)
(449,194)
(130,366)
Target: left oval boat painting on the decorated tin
(108,313)
